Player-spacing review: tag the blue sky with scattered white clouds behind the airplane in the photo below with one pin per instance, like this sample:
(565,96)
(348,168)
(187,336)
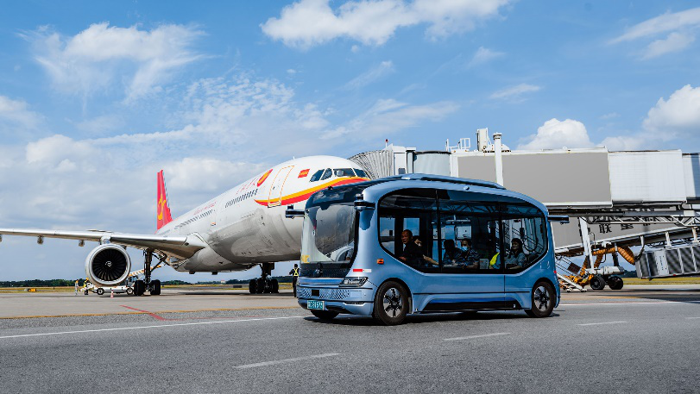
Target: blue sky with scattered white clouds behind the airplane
(96,97)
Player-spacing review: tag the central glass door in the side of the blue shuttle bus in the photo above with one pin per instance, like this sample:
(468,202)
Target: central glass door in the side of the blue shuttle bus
(470,252)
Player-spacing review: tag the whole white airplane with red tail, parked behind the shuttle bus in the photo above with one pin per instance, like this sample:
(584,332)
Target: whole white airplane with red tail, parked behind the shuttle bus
(237,230)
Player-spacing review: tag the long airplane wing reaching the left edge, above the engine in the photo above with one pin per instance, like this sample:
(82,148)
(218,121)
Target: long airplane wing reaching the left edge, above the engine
(181,247)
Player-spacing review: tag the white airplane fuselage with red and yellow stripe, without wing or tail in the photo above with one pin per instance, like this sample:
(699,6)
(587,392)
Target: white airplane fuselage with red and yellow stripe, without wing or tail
(246,225)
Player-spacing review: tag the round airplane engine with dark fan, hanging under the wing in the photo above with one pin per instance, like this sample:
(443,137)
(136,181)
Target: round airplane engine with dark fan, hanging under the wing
(107,265)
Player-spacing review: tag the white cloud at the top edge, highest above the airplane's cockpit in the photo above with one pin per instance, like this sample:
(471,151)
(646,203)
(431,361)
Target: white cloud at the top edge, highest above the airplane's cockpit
(313,22)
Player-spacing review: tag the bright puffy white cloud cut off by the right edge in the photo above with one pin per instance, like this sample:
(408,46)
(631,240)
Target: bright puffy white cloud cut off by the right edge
(679,114)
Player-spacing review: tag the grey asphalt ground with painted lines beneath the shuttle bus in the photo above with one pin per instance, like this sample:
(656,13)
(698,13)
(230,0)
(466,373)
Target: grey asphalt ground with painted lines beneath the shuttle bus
(637,340)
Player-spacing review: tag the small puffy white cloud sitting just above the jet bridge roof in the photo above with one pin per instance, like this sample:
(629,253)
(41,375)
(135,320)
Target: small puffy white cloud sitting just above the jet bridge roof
(555,134)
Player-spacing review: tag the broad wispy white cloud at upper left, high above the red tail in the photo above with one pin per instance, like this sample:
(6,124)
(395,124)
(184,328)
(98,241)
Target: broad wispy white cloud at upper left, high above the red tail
(100,56)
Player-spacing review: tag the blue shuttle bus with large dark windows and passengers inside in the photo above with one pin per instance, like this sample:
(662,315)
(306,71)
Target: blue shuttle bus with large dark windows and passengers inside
(418,243)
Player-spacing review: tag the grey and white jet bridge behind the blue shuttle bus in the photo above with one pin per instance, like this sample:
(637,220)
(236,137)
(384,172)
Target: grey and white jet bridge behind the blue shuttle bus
(619,199)
